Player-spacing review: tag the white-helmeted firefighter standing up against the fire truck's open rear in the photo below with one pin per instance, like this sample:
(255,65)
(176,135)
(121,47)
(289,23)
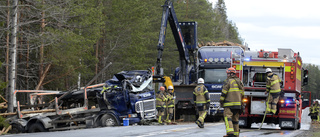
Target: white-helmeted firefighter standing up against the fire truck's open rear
(273,88)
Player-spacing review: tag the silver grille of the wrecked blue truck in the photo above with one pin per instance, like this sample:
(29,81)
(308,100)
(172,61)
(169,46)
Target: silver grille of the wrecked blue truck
(146,108)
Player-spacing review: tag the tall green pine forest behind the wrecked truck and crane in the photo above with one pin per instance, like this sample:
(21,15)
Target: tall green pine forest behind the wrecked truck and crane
(61,41)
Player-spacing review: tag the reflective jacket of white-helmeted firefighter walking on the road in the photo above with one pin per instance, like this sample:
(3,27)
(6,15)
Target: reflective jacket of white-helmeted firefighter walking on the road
(201,95)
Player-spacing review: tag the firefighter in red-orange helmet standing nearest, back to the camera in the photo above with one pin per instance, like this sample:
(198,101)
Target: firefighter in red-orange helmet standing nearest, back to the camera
(231,97)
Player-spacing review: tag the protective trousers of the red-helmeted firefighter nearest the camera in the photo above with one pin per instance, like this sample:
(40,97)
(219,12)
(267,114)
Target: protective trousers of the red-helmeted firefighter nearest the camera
(231,119)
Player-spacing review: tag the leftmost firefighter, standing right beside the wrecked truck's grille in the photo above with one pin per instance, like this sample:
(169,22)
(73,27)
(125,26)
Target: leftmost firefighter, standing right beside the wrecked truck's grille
(161,103)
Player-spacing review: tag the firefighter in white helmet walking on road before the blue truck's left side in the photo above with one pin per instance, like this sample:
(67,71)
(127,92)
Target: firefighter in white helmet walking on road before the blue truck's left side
(202,101)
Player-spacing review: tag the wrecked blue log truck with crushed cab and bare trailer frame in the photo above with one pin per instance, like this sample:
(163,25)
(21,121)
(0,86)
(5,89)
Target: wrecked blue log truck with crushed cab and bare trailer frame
(127,98)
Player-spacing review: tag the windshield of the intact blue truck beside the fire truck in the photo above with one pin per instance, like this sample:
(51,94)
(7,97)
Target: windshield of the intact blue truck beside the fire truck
(215,75)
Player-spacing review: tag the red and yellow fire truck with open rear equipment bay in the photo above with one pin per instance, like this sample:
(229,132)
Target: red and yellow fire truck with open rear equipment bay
(288,66)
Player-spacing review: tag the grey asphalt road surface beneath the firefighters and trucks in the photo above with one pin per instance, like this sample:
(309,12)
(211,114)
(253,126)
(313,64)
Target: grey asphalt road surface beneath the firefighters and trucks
(183,130)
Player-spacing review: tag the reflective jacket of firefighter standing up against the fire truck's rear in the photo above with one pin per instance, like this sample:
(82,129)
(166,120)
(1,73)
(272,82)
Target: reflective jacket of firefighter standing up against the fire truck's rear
(273,83)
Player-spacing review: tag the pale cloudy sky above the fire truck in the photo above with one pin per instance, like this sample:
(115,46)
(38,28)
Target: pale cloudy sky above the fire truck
(273,24)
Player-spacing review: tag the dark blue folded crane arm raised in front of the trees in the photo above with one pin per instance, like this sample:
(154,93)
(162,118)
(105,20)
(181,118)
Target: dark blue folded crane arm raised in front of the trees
(183,32)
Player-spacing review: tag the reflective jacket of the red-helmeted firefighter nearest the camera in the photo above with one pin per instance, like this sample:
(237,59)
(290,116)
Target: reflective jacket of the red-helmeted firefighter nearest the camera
(232,93)
